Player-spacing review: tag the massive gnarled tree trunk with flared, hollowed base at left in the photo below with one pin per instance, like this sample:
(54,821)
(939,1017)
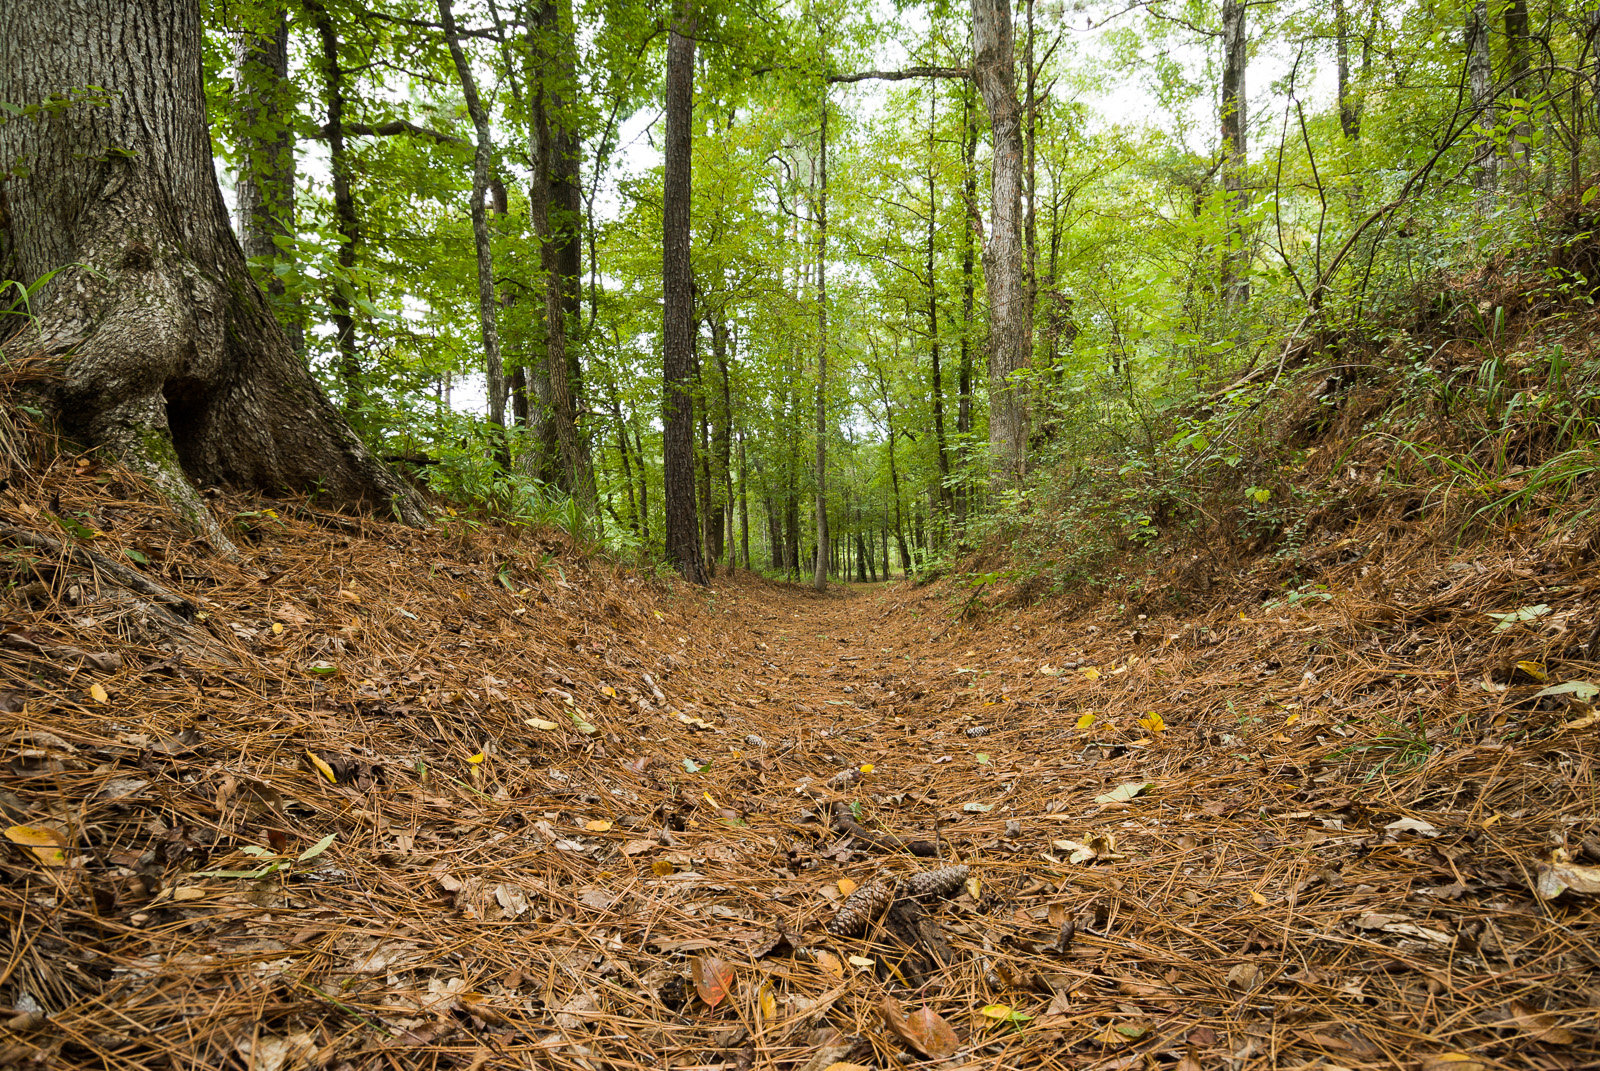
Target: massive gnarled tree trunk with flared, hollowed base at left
(166,348)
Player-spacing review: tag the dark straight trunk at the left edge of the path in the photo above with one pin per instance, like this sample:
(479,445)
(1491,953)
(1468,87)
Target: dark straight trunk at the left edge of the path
(678,310)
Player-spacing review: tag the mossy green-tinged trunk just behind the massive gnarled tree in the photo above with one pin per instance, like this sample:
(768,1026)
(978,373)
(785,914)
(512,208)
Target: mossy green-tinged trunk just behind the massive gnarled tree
(265,188)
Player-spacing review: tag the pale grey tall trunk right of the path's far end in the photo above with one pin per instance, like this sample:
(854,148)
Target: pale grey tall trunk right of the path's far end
(1009,327)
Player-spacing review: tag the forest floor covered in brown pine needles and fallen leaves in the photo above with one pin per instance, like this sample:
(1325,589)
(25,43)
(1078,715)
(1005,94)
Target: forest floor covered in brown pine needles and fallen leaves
(382,798)
